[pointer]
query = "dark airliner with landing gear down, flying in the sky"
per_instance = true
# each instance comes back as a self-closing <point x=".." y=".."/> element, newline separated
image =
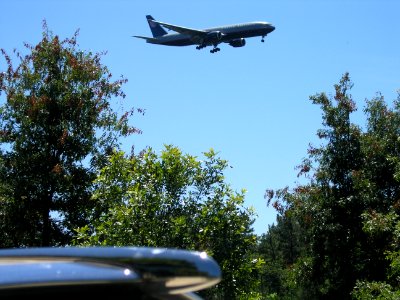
<point x="234" y="34"/>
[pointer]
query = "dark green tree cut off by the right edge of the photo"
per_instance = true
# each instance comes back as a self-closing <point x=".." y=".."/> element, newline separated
<point x="381" y="219"/>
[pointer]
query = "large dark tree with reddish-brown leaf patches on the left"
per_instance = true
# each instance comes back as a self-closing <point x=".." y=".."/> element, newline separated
<point x="56" y="128"/>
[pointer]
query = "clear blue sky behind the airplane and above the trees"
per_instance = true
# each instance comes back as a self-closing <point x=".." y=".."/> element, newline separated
<point x="250" y="104"/>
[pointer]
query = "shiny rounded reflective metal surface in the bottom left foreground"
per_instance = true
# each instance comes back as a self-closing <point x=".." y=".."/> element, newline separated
<point x="129" y="272"/>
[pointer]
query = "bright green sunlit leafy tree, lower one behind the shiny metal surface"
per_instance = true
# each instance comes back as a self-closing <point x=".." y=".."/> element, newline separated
<point x="177" y="201"/>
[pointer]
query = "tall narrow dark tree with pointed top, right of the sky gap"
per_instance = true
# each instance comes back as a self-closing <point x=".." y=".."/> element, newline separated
<point x="337" y="237"/>
